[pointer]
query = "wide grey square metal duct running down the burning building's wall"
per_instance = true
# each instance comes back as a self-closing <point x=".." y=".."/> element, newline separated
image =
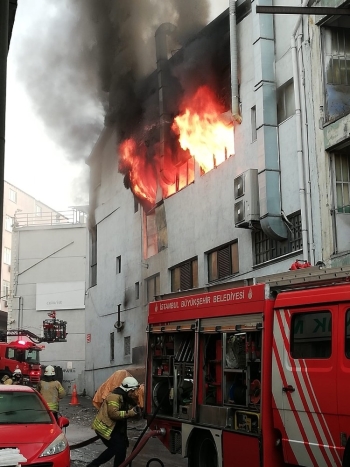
<point x="271" y="220"/>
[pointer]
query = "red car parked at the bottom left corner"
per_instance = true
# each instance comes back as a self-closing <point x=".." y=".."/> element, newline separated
<point x="27" y="424"/>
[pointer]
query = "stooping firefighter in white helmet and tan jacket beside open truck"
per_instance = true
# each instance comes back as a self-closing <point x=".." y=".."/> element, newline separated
<point x="110" y="424"/>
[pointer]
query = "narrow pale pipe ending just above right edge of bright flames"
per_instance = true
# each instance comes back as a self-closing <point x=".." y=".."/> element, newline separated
<point x="233" y="55"/>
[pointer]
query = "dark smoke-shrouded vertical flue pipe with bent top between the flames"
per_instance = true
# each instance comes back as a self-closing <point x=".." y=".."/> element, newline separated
<point x="164" y="90"/>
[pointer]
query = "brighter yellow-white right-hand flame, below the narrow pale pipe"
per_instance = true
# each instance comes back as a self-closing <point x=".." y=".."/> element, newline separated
<point x="202" y="130"/>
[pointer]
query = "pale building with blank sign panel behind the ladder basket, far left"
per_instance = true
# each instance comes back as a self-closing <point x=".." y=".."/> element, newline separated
<point x="48" y="275"/>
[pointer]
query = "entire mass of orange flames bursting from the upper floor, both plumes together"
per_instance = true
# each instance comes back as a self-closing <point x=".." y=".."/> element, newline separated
<point x="203" y="135"/>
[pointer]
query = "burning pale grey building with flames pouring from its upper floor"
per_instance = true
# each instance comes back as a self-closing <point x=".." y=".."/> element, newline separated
<point x="276" y="193"/>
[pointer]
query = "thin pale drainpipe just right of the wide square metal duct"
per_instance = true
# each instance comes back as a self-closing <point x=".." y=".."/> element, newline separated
<point x="303" y="170"/>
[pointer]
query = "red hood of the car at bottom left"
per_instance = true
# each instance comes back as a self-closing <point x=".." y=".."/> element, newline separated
<point x="31" y="440"/>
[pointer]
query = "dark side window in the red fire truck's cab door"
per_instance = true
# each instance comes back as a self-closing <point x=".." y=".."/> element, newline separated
<point x="311" y="335"/>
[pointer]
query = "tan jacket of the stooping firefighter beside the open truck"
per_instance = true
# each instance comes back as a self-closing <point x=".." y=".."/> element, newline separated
<point x="114" y="412"/>
